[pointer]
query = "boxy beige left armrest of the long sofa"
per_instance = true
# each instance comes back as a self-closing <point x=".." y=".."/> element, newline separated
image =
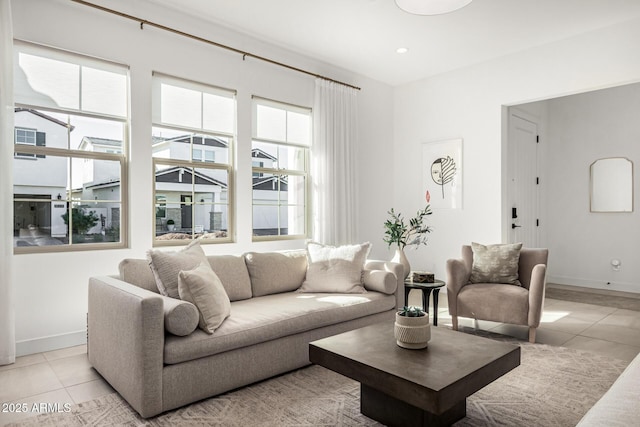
<point x="126" y="341"/>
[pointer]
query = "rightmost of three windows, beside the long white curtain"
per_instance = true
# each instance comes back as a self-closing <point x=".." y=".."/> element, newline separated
<point x="280" y="175"/>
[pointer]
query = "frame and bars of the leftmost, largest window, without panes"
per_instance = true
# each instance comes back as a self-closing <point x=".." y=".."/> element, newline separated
<point x="70" y="154"/>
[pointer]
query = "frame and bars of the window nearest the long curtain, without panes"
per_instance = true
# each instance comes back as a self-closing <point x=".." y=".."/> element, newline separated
<point x="260" y="171"/>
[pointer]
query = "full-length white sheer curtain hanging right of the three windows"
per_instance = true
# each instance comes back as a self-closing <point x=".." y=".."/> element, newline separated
<point x="335" y="124"/>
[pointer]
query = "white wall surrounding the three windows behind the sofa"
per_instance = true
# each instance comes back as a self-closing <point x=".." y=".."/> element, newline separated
<point x="51" y="300"/>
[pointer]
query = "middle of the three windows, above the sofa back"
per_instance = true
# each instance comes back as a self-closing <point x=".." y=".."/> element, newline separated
<point x="193" y="140"/>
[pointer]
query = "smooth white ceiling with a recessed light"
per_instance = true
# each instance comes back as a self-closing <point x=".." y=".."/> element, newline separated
<point x="363" y="35"/>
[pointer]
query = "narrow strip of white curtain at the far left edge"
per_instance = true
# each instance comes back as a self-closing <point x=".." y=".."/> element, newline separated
<point x="7" y="321"/>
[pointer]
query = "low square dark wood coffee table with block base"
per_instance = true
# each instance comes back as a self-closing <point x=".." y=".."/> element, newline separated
<point x="401" y="387"/>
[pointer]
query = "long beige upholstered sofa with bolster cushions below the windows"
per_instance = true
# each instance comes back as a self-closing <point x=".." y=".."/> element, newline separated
<point x="131" y="345"/>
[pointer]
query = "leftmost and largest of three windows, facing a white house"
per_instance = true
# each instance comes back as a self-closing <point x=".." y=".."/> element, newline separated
<point x="71" y="119"/>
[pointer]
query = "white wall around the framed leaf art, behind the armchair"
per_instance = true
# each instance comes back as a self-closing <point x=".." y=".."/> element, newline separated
<point x="468" y="103"/>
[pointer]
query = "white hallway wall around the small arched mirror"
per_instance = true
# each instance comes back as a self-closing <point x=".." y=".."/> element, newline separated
<point x="583" y="128"/>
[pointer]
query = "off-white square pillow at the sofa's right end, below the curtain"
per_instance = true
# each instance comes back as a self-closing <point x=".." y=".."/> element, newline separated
<point x="335" y="269"/>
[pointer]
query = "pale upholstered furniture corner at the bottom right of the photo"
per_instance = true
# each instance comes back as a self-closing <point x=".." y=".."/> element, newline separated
<point x="620" y="405"/>
